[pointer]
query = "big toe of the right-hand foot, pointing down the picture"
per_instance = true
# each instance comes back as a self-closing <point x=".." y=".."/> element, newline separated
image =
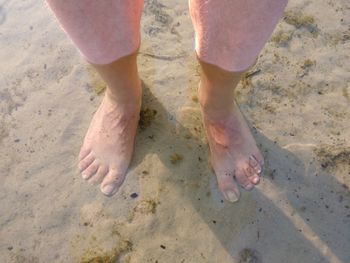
<point x="228" y="187"/>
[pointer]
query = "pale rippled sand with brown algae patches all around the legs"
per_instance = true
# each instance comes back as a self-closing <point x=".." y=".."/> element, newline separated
<point x="296" y="99"/>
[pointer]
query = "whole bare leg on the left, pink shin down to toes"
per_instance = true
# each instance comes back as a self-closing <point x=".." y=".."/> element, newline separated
<point x="107" y="34"/>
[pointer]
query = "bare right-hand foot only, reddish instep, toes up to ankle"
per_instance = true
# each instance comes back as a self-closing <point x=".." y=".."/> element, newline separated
<point x="234" y="154"/>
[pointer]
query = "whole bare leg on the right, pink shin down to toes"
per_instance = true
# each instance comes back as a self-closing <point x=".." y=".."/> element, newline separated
<point x="229" y="36"/>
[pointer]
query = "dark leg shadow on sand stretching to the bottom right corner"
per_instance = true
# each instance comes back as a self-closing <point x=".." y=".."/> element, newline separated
<point x="300" y="212"/>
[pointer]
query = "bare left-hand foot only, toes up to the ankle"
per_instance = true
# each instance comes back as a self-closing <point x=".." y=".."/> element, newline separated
<point x="109" y="143"/>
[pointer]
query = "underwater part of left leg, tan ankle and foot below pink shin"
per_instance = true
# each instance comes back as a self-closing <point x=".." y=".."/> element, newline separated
<point x="109" y="142"/>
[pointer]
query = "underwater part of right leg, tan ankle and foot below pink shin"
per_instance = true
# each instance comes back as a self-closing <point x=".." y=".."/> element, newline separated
<point x="234" y="154"/>
